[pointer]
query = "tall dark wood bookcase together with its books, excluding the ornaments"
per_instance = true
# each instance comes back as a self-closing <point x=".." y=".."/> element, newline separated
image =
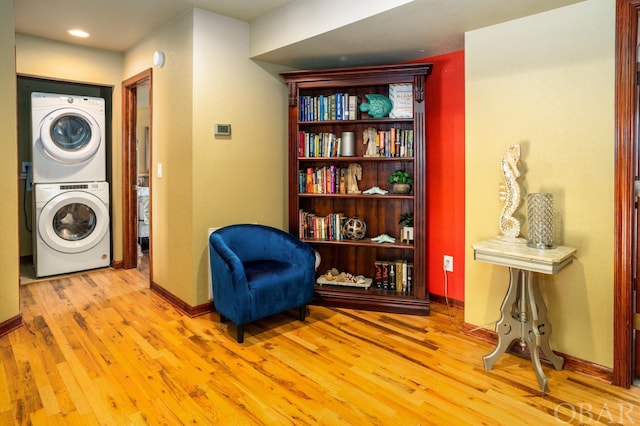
<point x="318" y="204"/>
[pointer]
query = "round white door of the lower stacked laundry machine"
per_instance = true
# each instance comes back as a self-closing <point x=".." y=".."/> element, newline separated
<point x="73" y="222"/>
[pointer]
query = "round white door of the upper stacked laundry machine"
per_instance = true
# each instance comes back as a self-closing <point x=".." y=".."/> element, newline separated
<point x="70" y="136"/>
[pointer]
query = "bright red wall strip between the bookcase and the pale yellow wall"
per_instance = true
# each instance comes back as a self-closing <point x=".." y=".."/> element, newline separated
<point x="446" y="173"/>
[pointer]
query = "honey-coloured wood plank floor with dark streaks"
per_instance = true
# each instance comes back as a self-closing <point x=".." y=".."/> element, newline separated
<point x="100" y="348"/>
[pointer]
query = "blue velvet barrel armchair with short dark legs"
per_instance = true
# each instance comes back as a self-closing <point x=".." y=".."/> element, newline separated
<point x="259" y="271"/>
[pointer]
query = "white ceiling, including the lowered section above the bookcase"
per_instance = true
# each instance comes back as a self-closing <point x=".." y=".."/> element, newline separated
<point x="419" y="29"/>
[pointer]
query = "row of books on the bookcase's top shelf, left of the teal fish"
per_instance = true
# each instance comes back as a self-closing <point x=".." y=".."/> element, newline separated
<point x="338" y="106"/>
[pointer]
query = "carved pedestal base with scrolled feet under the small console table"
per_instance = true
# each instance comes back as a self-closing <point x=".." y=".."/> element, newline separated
<point x="523" y="318"/>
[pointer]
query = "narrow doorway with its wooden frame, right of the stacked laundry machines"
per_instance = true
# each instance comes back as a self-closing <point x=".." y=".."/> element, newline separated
<point x="136" y="164"/>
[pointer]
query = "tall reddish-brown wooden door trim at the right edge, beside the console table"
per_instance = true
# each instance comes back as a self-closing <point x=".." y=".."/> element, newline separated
<point x="625" y="134"/>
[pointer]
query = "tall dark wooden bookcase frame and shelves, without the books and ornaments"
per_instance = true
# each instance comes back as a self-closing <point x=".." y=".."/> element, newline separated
<point x="380" y="212"/>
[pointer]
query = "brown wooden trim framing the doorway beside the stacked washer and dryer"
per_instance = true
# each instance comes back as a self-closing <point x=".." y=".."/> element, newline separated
<point x="129" y="172"/>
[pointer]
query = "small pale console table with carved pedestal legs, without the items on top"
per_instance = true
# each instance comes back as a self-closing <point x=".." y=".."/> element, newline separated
<point x="523" y="311"/>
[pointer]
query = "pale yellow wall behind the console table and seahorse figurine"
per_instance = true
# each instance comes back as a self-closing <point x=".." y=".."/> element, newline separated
<point x="547" y="83"/>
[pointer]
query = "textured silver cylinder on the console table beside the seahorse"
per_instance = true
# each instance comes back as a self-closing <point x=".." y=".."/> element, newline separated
<point x="540" y="217"/>
